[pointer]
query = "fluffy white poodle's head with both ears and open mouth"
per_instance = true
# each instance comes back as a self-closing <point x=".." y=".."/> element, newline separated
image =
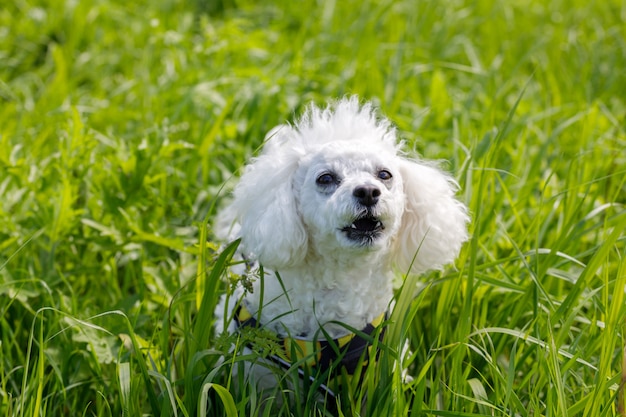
<point x="335" y="184"/>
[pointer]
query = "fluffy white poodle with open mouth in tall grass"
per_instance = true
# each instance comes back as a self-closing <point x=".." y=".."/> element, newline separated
<point x="331" y="208"/>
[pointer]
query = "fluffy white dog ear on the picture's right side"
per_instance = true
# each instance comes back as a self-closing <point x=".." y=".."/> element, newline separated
<point x="434" y="223"/>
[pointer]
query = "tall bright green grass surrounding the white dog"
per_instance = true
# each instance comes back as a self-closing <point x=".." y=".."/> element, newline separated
<point x="120" y="122"/>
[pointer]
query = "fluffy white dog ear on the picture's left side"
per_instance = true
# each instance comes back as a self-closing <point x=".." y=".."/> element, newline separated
<point x="264" y="204"/>
